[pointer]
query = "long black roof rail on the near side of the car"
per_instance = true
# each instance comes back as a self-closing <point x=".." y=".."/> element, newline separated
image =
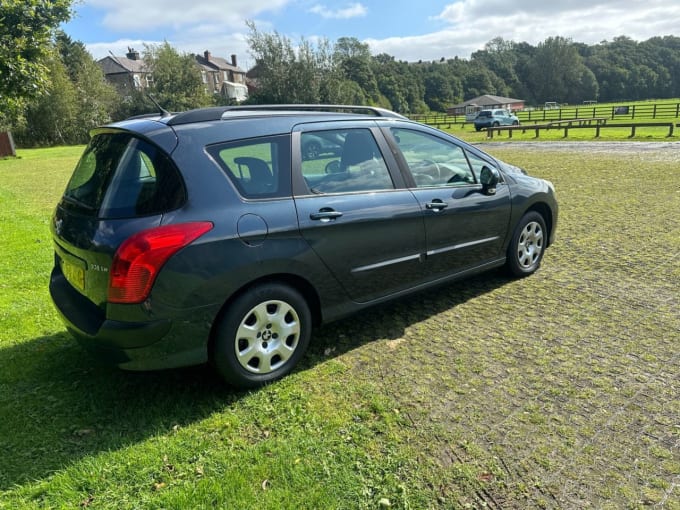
<point x="215" y="113"/>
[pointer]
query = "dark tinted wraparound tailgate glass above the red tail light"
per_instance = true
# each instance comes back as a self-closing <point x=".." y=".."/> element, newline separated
<point x="121" y="176"/>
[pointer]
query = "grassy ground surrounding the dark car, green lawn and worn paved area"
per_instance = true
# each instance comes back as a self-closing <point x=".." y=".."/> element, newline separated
<point x="556" y="391"/>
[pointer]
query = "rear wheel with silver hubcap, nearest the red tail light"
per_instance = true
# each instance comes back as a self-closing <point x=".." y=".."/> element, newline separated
<point x="262" y="335"/>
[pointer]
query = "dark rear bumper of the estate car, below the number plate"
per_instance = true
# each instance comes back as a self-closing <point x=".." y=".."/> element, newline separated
<point x="135" y="345"/>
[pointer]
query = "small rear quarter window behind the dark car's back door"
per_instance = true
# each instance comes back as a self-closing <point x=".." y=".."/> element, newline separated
<point x="259" y="168"/>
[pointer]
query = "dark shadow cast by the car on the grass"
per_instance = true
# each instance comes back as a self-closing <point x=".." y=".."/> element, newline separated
<point x="58" y="404"/>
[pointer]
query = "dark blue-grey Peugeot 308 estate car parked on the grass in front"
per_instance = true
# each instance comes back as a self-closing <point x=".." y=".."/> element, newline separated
<point x="210" y="235"/>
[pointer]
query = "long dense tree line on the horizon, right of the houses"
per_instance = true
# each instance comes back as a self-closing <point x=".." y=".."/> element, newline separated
<point x="556" y="69"/>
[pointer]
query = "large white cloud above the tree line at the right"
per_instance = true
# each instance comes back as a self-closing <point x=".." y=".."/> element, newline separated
<point x="470" y="24"/>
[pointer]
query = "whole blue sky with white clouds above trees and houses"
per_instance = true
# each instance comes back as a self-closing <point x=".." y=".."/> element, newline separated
<point x="414" y="30"/>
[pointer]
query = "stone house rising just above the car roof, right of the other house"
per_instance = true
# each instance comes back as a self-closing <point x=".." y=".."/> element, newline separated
<point x="222" y="77"/>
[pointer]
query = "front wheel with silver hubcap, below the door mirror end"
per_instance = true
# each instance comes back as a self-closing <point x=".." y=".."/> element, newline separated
<point x="527" y="245"/>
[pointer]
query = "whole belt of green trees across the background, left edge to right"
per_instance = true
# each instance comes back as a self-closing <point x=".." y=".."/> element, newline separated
<point x="52" y="91"/>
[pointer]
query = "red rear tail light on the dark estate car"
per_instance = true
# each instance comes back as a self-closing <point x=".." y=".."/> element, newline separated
<point x="140" y="258"/>
